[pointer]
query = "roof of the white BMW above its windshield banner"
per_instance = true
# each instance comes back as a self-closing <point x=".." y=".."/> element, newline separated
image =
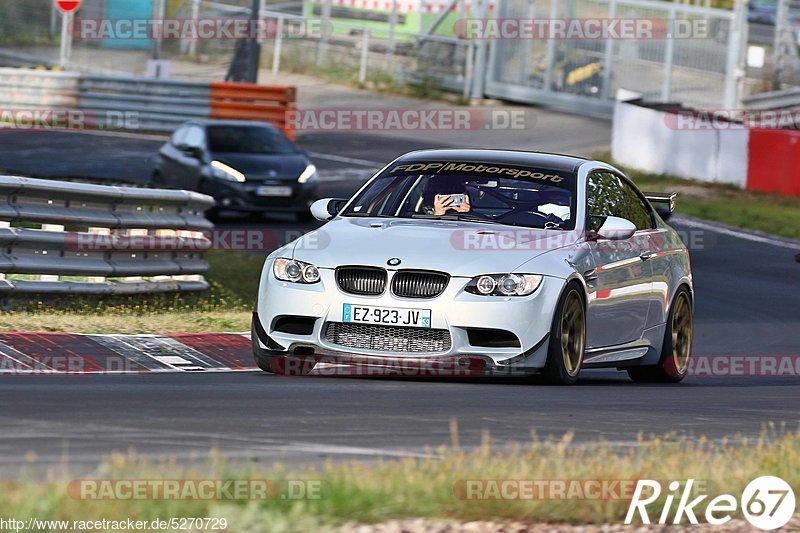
<point x="563" y="163"/>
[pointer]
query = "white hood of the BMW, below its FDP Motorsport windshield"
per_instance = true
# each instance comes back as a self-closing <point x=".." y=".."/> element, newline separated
<point x="459" y="248"/>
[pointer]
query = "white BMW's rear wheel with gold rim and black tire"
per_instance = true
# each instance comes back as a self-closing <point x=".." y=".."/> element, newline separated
<point x="673" y="364"/>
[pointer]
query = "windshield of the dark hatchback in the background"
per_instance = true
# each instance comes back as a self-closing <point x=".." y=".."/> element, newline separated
<point x="248" y="140"/>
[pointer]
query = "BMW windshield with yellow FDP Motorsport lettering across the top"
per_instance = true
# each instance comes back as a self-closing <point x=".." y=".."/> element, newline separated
<point x="492" y="193"/>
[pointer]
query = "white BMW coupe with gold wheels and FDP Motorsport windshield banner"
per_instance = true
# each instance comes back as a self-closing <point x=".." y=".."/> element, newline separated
<point x="494" y="261"/>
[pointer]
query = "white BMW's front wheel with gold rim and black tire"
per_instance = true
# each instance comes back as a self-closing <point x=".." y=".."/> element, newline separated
<point x="567" y="338"/>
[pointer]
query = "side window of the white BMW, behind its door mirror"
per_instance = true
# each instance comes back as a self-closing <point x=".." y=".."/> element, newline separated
<point x="610" y="195"/>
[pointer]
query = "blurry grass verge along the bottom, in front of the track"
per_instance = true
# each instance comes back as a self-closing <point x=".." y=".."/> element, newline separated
<point x="429" y="487"/>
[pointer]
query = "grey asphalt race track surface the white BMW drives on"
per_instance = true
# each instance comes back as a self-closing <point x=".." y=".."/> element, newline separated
<point x="747" y="292"/>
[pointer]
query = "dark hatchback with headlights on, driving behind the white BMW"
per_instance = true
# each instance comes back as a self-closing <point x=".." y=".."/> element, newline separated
<point x="248" y="167"/>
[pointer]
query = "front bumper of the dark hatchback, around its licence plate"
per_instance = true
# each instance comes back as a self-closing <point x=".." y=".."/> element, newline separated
<point x="243" y="197"/>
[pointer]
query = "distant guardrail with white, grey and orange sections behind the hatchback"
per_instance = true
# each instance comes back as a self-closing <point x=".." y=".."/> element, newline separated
<point x="113" y="102"/>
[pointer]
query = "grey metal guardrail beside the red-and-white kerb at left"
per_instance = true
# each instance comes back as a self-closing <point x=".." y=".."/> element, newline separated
<point x="147" y="240"/>
